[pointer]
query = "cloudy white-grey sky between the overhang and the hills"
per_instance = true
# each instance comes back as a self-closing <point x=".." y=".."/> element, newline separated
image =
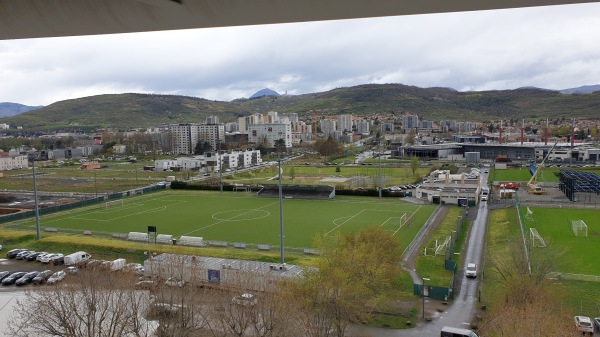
<point x="549" y="47"/>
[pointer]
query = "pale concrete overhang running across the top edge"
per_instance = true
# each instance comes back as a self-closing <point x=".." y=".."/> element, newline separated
<point x="21" y="19"/>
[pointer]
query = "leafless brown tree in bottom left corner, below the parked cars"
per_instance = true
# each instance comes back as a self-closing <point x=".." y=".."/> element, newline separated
<point x="93" y="303"/>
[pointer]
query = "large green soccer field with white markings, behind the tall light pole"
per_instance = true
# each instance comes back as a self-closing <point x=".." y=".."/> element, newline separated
<point x="244" y="217"/>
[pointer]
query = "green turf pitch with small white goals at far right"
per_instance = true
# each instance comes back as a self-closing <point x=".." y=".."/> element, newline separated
<point x="554" y="225"/>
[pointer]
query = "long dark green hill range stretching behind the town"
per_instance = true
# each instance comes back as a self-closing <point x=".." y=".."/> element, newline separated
<point x="124" y="111"/>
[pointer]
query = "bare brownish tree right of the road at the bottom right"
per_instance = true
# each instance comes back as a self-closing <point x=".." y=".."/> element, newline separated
<point x="529" y="304"/>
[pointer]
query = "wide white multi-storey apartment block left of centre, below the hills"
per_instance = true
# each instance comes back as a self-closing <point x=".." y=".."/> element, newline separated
<point x="186" y="136"/>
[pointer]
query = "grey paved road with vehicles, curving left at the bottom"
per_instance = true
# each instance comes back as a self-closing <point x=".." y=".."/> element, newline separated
<point x="461" y="311"/>
